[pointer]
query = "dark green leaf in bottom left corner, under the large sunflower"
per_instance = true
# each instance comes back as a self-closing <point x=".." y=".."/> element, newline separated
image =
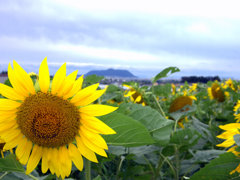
<point x="10" y="163"/>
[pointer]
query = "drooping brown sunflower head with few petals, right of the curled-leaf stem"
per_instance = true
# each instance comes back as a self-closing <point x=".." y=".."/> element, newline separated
<point x="179" y="103"/>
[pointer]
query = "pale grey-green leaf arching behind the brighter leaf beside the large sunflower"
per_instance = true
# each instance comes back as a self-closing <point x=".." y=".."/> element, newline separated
<point x="159" y="126"/>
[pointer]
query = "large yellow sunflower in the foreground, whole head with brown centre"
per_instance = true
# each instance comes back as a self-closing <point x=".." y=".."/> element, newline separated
<point x="54" y="123"/>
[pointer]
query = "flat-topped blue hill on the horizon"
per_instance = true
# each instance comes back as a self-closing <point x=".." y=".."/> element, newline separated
<point x="112" y="73"/>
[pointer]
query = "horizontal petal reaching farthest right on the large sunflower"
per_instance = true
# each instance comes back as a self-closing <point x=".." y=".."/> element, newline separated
<point x="97" y="110"/>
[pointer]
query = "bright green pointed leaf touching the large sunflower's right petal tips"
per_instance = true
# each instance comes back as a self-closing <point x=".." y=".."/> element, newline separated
<point x="129" y="131"/>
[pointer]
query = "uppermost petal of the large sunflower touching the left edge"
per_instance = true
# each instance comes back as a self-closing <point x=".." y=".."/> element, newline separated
<point x="10" y="93"/>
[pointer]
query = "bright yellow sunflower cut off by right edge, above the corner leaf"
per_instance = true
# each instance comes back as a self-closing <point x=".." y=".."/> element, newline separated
<point x="231" y="130"/>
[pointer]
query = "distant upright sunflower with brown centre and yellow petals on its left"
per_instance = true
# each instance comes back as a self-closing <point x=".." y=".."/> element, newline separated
<point x="215" y="92"/>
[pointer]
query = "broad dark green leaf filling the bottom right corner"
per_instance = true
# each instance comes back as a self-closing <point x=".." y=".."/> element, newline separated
<point x="219" y="168"/>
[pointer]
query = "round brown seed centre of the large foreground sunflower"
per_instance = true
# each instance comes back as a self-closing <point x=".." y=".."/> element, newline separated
<point x="48" y="120"/>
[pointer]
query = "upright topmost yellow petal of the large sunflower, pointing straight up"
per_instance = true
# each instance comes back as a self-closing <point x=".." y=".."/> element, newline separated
<point x="44" y="77"/>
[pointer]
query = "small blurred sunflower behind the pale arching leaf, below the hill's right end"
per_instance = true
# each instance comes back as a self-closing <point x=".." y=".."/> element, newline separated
<point x="134" y="95"/>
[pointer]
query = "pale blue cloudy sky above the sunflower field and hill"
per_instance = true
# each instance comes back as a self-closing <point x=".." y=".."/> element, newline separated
<point x="199" y="37"/>
